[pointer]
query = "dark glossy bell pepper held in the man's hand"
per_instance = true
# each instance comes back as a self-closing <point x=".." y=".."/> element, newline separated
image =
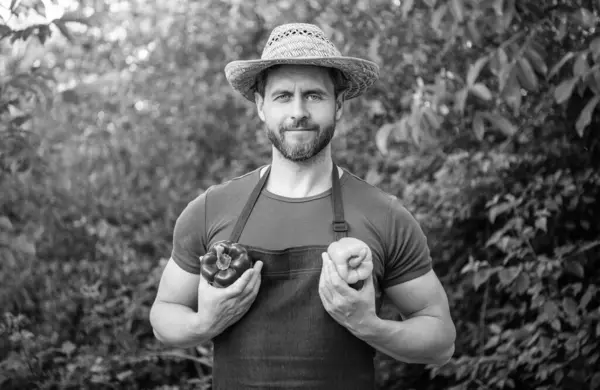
<point x="224" y="263"/>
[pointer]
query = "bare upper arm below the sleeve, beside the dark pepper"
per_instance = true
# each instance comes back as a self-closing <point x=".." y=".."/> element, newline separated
<point x="178" y="286"/>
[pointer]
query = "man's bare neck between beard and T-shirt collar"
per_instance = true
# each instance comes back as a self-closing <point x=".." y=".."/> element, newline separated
<point x="300" y="179"/>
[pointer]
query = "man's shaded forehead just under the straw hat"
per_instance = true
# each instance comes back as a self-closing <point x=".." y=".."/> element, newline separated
<point x="299" y="74"/>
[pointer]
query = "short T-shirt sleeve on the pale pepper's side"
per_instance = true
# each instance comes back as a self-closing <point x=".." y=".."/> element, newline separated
<point x="407" y="252"/>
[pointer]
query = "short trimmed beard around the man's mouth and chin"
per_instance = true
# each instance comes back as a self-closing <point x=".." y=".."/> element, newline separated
<point x="300" y="152"/>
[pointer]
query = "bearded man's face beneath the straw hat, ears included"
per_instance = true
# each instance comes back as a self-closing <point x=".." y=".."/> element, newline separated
<point x="299" y="110"/>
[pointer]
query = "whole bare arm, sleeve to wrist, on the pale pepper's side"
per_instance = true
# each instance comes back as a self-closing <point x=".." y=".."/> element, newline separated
<point x="427" y="334"/>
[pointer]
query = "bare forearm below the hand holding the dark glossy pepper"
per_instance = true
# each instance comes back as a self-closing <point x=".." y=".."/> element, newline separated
<point x="179" y="326"/>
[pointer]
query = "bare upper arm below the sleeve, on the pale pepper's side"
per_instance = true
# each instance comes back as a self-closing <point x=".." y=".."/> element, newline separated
<point x="423" y="295"/>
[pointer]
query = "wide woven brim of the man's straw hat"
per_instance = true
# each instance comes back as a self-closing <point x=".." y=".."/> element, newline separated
<point x="360" y="73"/>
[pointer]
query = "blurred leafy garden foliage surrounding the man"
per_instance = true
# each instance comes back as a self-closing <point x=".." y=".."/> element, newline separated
<point x="115" y="114"/>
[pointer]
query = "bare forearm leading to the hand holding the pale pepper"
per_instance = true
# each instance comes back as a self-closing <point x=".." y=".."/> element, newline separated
<point x="420" y="340"/>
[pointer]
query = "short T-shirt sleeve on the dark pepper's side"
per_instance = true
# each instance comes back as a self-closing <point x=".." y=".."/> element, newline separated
<point x="189" y="242"/>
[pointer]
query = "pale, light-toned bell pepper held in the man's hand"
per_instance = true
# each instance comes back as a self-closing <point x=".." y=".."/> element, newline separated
<point x="349" y="248"/>
